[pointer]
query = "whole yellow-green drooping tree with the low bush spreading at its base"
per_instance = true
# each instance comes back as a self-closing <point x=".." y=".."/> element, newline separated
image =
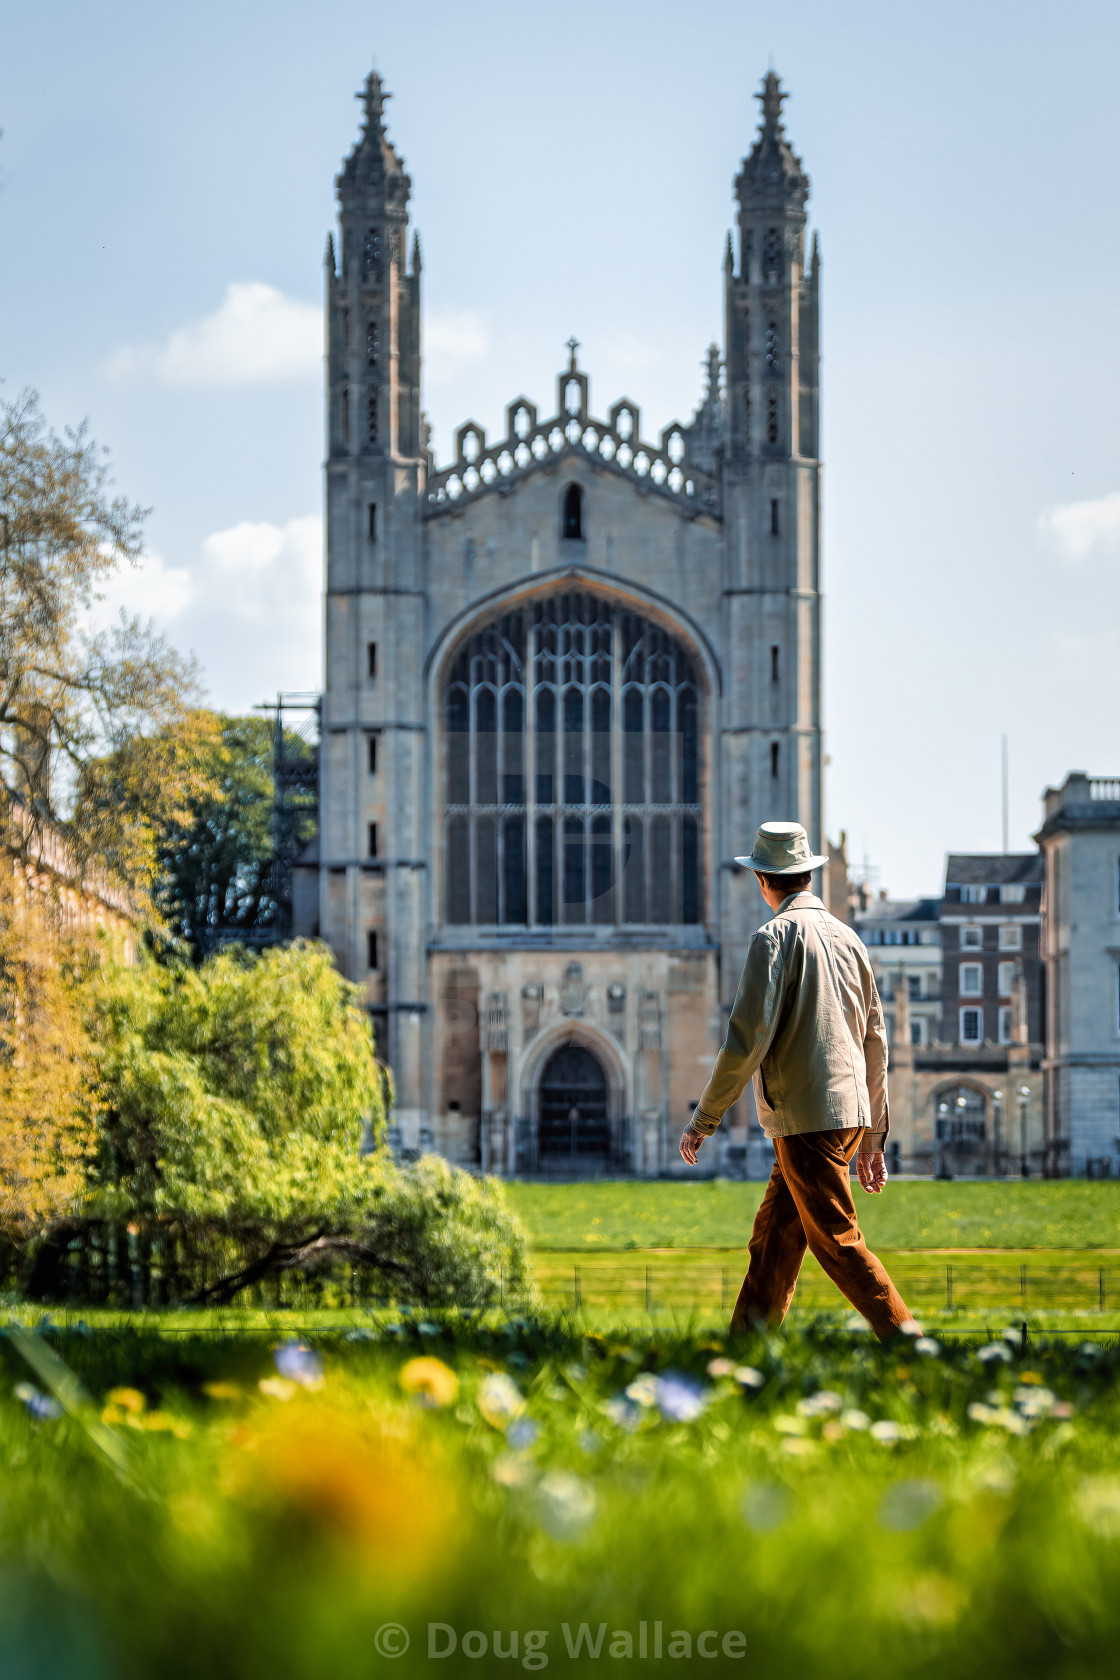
<point x="241" y="1115"/>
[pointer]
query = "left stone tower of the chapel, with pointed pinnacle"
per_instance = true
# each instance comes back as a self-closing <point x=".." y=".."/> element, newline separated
<point x="372" y="848"/>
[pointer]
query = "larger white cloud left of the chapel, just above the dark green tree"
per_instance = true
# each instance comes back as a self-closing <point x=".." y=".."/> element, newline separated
<point x="249" y="606"/>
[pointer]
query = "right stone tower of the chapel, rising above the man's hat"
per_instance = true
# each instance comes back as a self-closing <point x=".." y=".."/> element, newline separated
<point x="772" y="507"/>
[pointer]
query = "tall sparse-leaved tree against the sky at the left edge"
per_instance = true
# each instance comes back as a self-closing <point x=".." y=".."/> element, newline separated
<point x="71" y="700"/>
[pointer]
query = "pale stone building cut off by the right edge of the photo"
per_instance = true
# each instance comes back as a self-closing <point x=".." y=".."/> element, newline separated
<point x="1081" y="841"/>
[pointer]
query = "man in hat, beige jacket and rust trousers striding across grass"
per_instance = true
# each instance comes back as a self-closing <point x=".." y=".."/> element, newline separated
<point x="809" y="1029"/>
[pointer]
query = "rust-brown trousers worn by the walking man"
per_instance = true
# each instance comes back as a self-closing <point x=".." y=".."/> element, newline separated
<point x="809" y="1205"/>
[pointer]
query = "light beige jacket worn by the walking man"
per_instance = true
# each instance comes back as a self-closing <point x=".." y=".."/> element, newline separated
<point x="809" y="1029"/>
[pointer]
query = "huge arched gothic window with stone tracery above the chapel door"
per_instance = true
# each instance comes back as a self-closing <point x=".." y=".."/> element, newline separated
<point x="572" y="772"/>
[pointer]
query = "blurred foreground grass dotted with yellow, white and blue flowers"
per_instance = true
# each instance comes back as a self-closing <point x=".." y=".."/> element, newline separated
<point x="481" y="1494"/>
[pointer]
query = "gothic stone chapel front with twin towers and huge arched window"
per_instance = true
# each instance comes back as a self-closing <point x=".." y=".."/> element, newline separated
<point x="567" y="676"/>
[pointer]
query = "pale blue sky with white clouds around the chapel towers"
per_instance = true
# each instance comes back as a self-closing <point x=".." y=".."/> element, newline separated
<point x="165" y="196"/>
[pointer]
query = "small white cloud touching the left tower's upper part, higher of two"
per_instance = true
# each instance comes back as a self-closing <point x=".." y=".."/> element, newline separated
<point x="256" y="337"/>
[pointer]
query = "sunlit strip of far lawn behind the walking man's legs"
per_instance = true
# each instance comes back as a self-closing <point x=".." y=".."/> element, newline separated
<point x="1055" y="1214"/>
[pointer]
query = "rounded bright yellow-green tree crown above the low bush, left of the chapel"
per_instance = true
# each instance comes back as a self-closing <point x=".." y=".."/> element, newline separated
<point x="236" y="1095"/>
